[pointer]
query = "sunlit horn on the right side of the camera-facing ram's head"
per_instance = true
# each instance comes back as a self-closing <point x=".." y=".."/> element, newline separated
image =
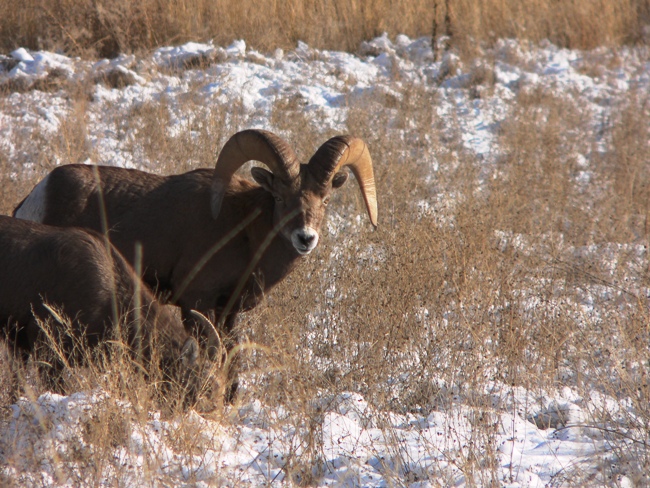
<point x="349" y="151"/>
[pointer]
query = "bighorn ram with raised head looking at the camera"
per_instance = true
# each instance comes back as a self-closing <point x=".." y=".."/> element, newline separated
<point x="213" y="241"/>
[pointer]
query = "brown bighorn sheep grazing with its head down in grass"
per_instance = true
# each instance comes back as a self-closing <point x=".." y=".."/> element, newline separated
<point x="76" y="272"/>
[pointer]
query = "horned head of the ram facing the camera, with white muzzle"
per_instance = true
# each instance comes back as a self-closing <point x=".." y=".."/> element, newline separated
<point x="301" y="190"/>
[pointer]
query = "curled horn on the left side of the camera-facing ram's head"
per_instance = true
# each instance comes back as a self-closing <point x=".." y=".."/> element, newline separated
<point x="247" y="145"/>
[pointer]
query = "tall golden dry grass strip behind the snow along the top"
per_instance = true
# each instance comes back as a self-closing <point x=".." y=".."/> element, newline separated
<point x="106" y="28"/>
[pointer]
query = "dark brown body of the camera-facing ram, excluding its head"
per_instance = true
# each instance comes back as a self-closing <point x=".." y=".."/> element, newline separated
<point x="170" y="217"/>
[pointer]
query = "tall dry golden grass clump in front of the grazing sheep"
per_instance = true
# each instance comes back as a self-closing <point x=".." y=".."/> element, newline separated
<point x="62" y="362"/>
